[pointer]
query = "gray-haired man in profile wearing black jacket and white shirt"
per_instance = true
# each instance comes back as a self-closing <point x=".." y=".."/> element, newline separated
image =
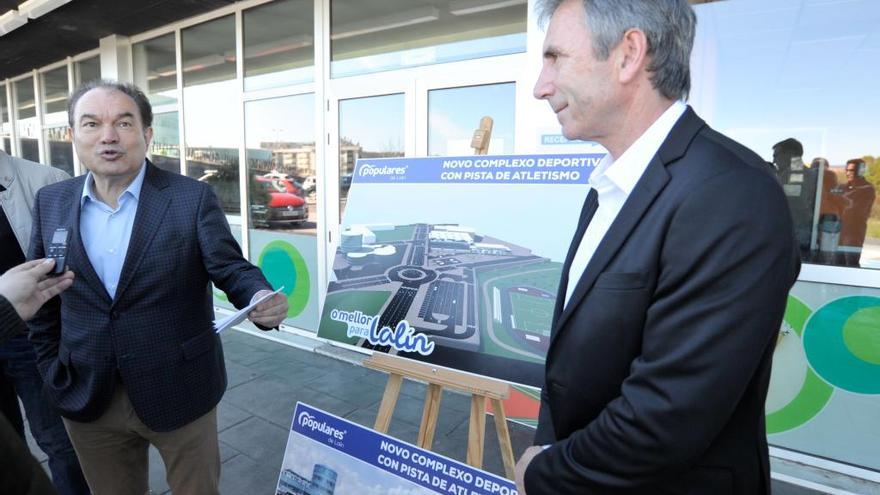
<point x="675" y="284"/>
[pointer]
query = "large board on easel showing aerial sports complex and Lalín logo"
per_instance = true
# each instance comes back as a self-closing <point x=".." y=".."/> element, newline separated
<point x="456" y="260"/>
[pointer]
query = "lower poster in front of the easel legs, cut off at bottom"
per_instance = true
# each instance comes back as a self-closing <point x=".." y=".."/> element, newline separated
<point x="328" y="454"/>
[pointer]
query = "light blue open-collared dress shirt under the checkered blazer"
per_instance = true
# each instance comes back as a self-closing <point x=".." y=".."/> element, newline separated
<point x="105" y="232"/>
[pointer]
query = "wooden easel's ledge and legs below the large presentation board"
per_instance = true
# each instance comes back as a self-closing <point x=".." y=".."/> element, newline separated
<point x="480" y="389"/>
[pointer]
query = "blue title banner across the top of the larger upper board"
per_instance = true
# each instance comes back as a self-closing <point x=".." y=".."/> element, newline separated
<point x="496" y="169"/>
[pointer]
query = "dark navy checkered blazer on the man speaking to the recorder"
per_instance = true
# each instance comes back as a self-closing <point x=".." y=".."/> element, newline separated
<point x="156" y="335"/>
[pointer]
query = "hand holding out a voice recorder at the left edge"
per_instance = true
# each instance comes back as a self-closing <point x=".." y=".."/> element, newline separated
<point x="27" y="287"/>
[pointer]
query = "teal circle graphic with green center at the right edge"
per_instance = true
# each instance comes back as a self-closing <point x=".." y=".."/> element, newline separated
<point x="831" y="334"/>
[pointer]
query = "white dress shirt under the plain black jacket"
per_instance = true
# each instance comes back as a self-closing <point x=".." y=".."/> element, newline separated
<point x="613" y="182"/>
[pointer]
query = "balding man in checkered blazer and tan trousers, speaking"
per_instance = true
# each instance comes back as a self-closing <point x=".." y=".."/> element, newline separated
<point x="129" y="355"/>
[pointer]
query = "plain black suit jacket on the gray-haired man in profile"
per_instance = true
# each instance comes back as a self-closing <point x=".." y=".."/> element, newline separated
<point x="658" y="367"/>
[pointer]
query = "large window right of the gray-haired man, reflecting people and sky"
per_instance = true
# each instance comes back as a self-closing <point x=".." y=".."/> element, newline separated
<point x="815" y="101"/>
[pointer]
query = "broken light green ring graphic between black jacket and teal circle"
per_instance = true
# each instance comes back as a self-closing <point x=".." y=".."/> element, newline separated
<point x="814" y="393"/>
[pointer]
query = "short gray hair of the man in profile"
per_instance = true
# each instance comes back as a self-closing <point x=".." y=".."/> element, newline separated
<point x="669" y="26"/>
